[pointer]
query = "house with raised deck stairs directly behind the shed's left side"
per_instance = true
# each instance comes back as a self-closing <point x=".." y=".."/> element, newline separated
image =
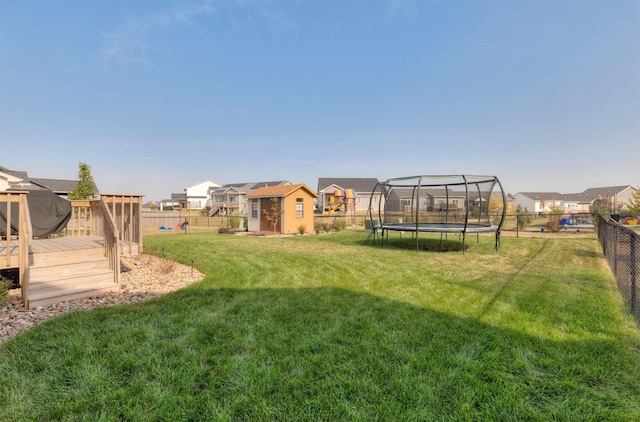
<point x="231" y="198"/>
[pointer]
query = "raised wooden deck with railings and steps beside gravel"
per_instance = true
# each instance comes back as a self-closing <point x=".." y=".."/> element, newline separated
<point x="84" y="262"/>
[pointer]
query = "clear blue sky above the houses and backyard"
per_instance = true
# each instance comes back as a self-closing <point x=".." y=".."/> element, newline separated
<point x="159" y="95"/>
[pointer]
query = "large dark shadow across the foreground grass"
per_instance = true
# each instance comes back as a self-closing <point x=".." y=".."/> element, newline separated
<point x="296" y="354"/>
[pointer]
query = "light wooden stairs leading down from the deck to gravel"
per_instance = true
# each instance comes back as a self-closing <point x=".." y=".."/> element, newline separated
<point x="59" y="276"/>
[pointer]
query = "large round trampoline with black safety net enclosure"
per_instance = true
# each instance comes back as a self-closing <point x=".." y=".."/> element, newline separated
<point x="451" y="204"/>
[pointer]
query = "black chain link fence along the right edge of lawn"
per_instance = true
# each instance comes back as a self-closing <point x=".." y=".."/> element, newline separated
<point x="621" y="248"/>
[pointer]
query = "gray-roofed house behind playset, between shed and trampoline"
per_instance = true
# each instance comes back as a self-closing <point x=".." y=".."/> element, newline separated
<point x="364" y="189"/>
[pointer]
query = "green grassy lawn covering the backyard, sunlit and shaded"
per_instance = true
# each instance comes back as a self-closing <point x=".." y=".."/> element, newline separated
<point x="324" y="328"/>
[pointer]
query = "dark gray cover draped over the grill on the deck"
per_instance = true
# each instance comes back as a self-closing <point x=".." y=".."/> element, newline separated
<point x="49" y="213"/>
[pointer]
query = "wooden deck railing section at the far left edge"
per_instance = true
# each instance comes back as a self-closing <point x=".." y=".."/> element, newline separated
<point x="15" y="203"/>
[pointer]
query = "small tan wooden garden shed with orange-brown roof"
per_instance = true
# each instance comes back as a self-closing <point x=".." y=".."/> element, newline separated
<point x="282" y="209"/>
